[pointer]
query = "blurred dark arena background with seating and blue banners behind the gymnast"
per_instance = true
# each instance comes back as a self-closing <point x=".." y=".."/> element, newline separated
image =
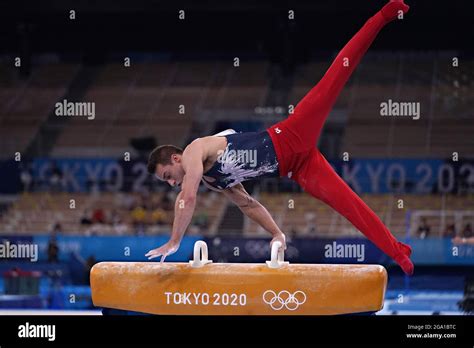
<point x="77" y="186"/>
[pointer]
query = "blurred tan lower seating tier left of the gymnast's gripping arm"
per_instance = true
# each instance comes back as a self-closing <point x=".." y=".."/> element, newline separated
<point x="37" y="213"/>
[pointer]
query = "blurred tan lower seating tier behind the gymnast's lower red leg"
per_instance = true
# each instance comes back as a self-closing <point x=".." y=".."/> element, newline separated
<point x="293" y="216"/>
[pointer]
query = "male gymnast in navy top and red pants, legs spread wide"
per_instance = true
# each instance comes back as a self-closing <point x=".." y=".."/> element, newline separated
<point x="287" y="148"/>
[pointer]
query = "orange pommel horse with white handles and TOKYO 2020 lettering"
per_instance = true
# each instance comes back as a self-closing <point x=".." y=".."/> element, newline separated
<point x="201" y="287"/>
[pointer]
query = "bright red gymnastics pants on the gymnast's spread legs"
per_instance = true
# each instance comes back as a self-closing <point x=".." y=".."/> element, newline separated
<point x="295" y="141"/>
